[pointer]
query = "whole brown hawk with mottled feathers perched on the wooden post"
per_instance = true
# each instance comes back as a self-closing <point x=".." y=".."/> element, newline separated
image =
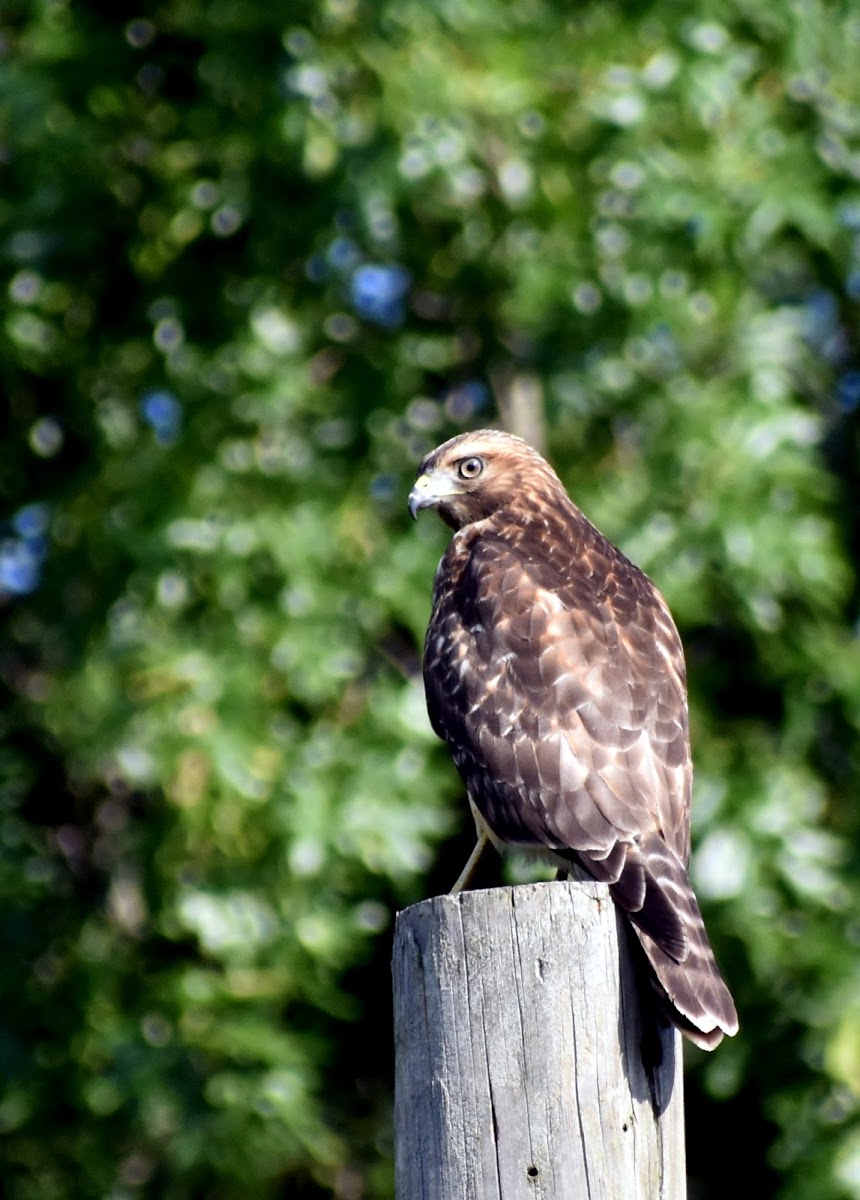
<point x="555" y="673"/>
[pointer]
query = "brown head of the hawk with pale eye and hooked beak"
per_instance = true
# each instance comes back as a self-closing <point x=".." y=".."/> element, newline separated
<point x="477" y="475"/>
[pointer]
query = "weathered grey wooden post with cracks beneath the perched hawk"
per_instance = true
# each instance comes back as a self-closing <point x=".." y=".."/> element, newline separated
<point x="519" y="1063"/>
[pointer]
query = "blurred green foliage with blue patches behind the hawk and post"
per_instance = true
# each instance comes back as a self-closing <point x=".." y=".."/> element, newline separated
<point x="256" y="260"/>
